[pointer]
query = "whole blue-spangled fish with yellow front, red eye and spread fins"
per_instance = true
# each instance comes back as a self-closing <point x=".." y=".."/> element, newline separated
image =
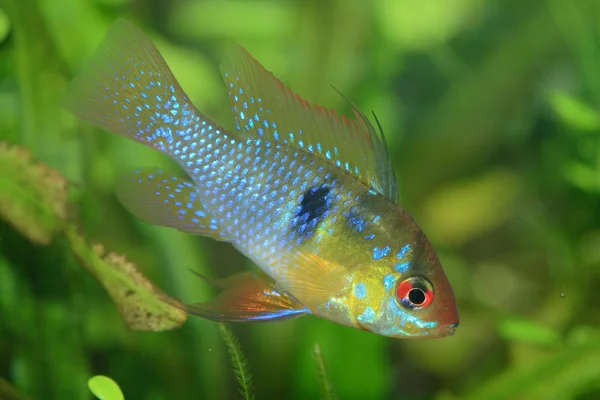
<point x="308" y="195"/>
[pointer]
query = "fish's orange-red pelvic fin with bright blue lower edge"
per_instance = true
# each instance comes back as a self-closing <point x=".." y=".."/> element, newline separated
<point x="247" y="297"/>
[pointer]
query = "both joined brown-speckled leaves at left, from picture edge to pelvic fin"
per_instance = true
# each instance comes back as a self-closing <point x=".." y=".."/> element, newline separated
<point x="34" y="201"/>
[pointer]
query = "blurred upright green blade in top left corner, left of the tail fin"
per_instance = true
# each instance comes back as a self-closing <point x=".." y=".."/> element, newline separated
<point x="44" y="124"/>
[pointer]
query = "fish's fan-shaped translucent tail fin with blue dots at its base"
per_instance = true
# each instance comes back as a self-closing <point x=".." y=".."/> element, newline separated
<point x="128" y="89"/>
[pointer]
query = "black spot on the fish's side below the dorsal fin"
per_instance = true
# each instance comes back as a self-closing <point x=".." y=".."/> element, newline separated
<point x="313" y="209"/>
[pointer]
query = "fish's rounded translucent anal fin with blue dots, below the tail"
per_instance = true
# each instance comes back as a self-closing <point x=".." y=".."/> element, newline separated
<point x="159" y="198"/>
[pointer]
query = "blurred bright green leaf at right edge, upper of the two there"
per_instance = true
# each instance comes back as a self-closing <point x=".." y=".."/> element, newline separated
<point x="574" y="112"/>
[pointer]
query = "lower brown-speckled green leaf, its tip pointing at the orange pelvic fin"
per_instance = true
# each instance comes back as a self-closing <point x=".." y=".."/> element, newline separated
<point x="142" y="305"/>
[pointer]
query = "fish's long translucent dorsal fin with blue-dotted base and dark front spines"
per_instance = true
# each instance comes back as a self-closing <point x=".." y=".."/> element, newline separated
<point x="264" y="107"/>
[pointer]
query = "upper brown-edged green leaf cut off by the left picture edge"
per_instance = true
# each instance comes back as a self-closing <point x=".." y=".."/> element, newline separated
<point x="32" y="196"/>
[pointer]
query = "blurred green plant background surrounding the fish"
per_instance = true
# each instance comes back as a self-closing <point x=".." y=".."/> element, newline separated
<point x="492" y="113"/>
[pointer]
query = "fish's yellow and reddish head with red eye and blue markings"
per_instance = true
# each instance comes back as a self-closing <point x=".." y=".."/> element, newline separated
<point x="407" y="295"/>
